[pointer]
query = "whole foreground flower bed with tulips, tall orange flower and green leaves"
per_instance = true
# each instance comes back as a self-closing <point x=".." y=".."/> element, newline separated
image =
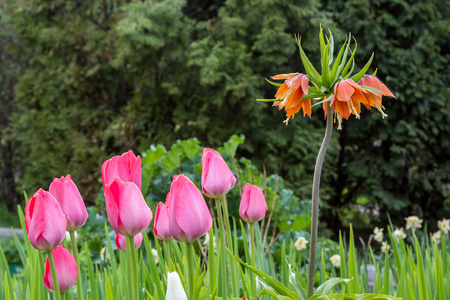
<point x="196" y="247"/>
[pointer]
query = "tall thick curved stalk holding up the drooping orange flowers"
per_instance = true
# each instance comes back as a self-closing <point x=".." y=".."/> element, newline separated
<point x="315" y="201"/>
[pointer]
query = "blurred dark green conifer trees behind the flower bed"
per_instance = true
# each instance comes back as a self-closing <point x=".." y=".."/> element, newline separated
<point x="82" y="81"/>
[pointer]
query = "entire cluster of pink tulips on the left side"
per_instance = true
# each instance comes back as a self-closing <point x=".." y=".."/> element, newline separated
<point x="184" y="217"/>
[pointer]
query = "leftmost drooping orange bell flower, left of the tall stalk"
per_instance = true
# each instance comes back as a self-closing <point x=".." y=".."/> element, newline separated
<point x="291" y="93"/>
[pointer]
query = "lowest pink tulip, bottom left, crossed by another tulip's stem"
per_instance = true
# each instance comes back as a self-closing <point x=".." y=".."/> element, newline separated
<point x="66" y="270"/>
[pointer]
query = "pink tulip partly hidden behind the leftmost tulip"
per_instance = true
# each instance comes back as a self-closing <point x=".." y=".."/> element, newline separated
<point x="69" y="198"/>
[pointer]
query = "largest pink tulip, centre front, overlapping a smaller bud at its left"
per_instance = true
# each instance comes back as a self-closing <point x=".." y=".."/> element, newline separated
<point x="189" y="216"/>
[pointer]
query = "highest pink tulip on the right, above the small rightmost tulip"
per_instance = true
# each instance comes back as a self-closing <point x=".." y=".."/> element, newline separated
<point x="217" y="179"/>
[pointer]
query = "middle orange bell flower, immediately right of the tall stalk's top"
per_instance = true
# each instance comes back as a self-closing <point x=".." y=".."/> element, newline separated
<point x="346" y="100"/>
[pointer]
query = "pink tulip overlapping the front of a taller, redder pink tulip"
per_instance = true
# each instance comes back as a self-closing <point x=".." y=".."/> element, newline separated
<point x="127" y="211"/>
